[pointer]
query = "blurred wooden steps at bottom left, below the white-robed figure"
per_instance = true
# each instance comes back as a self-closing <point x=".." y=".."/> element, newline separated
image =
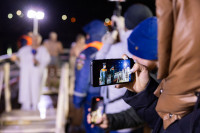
<point x="19" y="121"/>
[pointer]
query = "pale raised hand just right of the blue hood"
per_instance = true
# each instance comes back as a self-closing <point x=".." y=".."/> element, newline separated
<point x="110" y="37"/>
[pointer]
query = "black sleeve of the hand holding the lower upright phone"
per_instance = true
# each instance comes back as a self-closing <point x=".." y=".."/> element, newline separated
<point x="125" y="119"/>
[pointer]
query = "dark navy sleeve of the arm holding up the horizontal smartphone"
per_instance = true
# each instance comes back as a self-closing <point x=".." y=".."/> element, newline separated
<point x="144" y="103"/>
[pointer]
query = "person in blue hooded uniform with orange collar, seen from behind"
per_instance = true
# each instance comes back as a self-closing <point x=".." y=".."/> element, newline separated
<point x="84" y="91"/>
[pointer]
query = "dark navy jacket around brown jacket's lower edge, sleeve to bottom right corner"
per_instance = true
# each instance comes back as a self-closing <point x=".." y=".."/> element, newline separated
<point x="144" y="104"/>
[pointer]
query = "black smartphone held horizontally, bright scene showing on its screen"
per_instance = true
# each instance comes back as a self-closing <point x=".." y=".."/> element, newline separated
<point x="111" y="71"/>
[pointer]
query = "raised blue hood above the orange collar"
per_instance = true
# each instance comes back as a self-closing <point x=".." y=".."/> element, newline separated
<point x="95" y="29"/>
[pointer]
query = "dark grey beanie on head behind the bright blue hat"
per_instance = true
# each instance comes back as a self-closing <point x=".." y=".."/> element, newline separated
<point x="136" y="14"/>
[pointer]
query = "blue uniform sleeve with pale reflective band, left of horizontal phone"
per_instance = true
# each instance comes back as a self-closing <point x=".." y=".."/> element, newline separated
<point x="82" y="83"/>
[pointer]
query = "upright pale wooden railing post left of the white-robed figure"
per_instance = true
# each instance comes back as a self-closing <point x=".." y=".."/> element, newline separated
<point x="7" y="87"/>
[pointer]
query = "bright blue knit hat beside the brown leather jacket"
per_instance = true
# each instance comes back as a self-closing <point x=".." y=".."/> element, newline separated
<point x="143" y="40"/>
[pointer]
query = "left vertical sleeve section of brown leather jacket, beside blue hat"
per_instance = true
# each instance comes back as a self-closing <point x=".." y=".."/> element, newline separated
<point x="164" y="11"/>
